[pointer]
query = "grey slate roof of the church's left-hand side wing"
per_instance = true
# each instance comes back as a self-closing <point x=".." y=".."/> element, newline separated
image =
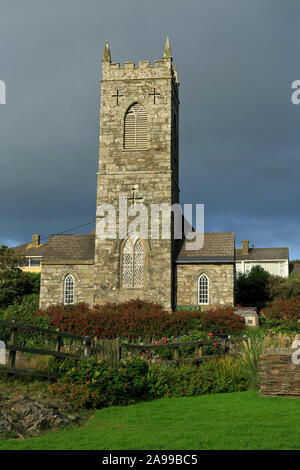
<point x="70" y="248"/>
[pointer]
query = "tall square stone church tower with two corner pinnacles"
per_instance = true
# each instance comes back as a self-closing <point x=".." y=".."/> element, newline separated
<point x="138" y="160"/>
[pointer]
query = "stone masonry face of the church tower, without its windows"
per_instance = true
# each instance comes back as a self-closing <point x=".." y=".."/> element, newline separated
<point x="153" y="170"/>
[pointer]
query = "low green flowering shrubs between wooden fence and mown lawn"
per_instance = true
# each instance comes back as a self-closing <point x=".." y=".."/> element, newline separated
<point x="93" y="384"/>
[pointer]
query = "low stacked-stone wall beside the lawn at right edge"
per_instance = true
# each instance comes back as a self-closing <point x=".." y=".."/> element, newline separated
<point x="278" y="375"/>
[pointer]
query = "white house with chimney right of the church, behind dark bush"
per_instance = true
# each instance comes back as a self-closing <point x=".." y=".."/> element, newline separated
<point x="273" y="260"/>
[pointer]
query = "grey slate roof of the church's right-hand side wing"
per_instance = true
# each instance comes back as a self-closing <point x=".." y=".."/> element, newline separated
<point x="218" y="247"/>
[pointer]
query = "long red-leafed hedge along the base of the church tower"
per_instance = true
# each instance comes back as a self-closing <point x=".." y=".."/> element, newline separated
<point x="129" y="320"/>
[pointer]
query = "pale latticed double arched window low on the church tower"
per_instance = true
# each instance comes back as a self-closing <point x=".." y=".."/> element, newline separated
<point x="133" y="262"/>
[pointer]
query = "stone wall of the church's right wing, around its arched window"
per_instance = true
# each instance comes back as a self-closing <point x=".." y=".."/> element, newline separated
<point x="221" y="284"/>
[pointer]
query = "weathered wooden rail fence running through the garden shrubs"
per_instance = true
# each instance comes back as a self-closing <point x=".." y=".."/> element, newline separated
<point x="89" y="347"/>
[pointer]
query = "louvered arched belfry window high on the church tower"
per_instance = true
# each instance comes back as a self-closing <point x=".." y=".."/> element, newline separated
<point x="135" y="128"/>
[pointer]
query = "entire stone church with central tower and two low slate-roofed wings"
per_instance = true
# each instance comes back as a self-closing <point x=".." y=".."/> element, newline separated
<point x="138" y="159"/>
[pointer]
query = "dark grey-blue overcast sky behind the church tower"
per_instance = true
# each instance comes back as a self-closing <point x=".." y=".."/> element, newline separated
<point x="239" y="131"/>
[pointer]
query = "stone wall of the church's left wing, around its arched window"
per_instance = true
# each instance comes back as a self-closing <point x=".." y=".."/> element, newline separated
<point x="52" y="283"/>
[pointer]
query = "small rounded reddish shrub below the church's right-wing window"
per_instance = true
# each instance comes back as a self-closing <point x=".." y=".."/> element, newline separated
<point x="222" y="321"/>
